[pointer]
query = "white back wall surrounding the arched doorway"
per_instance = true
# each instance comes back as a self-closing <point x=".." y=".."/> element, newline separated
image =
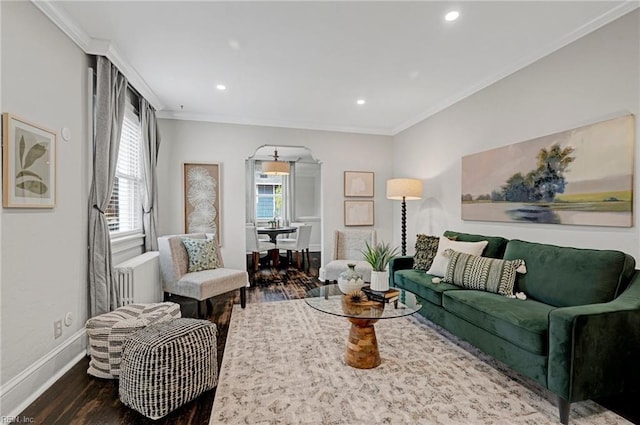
<point x="230" y="145"/>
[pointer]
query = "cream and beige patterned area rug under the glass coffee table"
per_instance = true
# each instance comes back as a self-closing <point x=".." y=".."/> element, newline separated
<point x="283" y="364"/>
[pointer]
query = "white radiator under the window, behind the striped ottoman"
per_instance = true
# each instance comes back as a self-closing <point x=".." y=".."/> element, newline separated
<point x="139" y="279"/>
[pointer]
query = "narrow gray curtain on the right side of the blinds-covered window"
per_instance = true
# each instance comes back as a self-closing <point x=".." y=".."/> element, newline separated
<point x="150" y="146"/>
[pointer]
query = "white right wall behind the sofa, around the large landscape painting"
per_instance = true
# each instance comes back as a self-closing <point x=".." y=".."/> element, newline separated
<point x="592" y="79"/>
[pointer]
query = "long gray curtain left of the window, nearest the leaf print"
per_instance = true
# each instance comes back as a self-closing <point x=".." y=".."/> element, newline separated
<point x="111" y="87"/>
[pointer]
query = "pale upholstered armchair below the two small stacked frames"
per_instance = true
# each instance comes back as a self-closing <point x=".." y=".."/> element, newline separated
<point x="347" y="249"/>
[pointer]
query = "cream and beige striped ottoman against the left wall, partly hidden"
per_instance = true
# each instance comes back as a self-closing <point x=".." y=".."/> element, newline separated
<point x="108" y="331"/>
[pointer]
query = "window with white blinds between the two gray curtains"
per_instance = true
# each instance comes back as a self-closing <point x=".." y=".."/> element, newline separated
<point x="124" y="214"/>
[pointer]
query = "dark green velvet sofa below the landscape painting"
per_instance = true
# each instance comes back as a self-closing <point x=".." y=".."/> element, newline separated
<point x="578" y="331"/>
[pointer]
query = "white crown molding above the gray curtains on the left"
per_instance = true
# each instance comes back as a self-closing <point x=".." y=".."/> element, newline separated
<point x="92" y="46"/>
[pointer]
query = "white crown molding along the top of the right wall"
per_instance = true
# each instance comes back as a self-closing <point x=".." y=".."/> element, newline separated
<point x="598" y="22"/>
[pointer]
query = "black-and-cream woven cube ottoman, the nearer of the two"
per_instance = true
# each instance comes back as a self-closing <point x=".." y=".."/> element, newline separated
<point x="167" y="365"/>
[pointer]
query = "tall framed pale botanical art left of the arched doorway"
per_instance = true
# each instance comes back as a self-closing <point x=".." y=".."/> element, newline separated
<point x="201" y="184"/>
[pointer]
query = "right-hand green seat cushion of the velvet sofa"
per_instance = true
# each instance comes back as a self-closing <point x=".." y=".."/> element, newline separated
<point x="524" y="323"/>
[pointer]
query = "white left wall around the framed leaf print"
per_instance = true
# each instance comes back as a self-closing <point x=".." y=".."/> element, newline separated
<point x="44" y="252"/>
